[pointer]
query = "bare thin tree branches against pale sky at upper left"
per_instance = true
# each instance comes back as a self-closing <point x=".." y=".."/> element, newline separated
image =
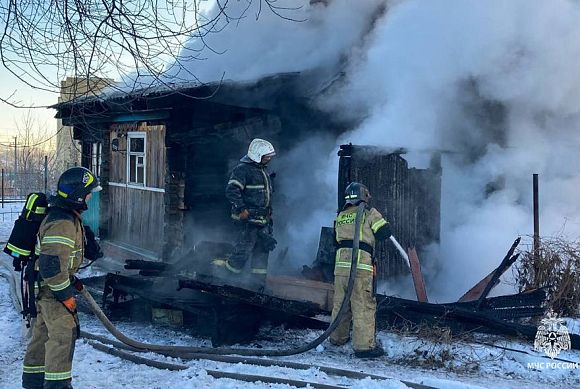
<point x="45" y="41"/>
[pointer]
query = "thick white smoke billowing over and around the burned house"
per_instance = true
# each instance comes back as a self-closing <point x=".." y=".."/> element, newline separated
<point x="492" y="84"/>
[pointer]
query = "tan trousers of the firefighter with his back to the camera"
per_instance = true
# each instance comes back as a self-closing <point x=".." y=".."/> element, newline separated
<point x="361" y="312"/>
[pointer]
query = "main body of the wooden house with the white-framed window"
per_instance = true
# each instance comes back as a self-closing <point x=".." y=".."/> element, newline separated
<point x="164" y="153"/>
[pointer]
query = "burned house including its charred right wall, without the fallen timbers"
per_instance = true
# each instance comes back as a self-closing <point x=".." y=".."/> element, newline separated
<point x="164" y="155"/>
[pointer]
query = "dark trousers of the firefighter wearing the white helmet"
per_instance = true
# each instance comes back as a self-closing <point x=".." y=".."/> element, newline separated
<point x="250" y="243"/>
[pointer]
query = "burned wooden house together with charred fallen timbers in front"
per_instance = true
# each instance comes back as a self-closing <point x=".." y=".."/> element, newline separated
<point x="164" y="156"/>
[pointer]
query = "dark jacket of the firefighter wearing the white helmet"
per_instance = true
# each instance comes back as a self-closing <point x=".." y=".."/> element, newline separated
<point x="250" y="187"/>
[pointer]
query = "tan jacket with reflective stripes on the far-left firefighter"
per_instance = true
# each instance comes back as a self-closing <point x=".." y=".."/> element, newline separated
<point x="59" y="246"/>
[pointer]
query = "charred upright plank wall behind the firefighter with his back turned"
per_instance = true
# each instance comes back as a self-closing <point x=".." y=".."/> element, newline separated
<point x="408" y="198"/>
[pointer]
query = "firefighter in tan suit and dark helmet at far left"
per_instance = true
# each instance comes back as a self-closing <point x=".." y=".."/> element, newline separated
<point x="59" y="247"/>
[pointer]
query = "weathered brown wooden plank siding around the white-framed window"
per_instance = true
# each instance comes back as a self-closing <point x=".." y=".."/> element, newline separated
<point x="136" y="214"/>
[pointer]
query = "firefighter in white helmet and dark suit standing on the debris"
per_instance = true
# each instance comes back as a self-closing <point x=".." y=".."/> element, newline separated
<point x="249" y="190"/>
